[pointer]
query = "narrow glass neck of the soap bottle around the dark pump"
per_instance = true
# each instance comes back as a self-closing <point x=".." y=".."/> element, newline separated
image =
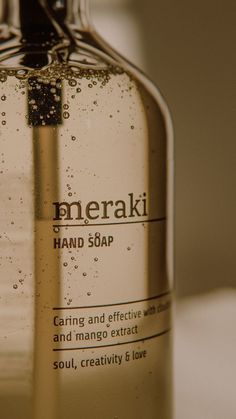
<point x="39" y="15"/>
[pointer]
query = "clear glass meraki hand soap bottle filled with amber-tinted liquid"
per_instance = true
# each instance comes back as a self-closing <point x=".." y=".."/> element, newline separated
<point x="85" y="223"/>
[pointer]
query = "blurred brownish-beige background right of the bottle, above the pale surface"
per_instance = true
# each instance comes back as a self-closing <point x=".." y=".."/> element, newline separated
<point x="188" y="49"/>
